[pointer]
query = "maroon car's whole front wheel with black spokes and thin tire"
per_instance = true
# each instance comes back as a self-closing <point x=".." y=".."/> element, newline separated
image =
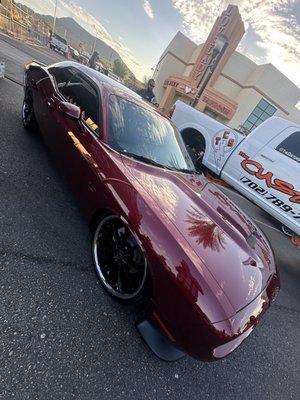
<point x="119" y="261"/>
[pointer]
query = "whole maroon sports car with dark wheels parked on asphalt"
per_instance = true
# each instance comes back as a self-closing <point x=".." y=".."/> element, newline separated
<point x="162" y="234"/>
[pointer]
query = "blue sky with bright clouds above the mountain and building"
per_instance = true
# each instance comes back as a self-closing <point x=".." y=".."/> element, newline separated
<point x="140" y="30"/>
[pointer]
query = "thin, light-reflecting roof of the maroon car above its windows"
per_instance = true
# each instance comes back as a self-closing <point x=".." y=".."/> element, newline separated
<point x="110" y="84"/>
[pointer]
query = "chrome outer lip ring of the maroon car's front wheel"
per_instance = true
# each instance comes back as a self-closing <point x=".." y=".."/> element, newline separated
<point x="122" y="296"/>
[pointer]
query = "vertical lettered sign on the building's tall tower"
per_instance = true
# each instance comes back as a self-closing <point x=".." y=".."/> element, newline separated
<point x="206" y="53"/>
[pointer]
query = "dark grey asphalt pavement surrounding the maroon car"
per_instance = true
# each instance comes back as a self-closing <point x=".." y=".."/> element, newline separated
<point x="62" y="337"/>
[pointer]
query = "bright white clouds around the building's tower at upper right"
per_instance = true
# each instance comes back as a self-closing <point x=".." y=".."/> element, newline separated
<point x="275" y="31"/>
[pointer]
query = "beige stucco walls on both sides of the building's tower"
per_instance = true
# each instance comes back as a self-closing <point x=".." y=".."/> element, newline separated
<point x="241" y="79"/>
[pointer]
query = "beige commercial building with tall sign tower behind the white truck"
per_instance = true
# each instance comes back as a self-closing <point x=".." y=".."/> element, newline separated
<point x="221" y="82"/>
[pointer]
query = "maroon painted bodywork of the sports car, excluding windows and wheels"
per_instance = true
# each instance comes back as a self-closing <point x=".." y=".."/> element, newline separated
<point x="212" y="270"/>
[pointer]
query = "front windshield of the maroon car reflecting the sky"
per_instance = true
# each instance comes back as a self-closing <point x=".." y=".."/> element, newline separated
<point x="143" y="134"/>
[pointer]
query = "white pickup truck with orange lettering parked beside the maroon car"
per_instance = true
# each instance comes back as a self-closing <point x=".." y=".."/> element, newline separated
<point x="264" y="166"/>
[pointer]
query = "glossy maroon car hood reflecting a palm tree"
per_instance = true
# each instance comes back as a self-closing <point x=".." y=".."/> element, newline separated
<point x="226" y="241"/>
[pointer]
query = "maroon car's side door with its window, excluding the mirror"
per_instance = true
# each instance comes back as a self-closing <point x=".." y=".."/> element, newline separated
<point x="87" y="161"/>
